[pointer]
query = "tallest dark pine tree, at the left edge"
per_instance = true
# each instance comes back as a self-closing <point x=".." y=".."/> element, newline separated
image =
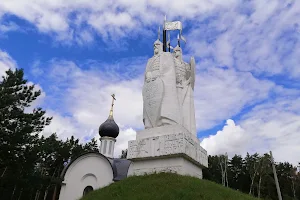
<point x="19" y="129"/>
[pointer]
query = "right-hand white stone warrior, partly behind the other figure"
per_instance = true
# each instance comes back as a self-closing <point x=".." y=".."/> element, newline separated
<point x="185" y="81"/>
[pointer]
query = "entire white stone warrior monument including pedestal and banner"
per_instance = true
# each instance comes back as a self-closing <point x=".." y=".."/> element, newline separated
<point x="169" y="142"/>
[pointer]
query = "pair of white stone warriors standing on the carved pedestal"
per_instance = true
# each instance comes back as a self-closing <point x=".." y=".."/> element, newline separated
<point x="168" y="91"/>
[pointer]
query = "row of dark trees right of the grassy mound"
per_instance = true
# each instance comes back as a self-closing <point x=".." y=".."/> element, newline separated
<point x="253" y="174"/>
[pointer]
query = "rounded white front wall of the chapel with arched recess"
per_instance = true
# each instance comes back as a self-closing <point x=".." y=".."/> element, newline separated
<point x="90" y="169"/>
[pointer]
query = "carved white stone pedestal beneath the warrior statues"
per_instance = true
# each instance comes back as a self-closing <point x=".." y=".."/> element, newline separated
<point x="166" y="149"/>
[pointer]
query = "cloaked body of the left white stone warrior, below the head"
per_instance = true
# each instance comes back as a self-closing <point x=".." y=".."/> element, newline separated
<point x="160" y="99"/>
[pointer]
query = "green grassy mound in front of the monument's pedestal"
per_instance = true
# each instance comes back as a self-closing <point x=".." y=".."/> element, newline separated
<point x="165" y="186"/>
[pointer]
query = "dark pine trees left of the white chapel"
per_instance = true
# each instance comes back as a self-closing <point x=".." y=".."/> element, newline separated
<point x="30" y="164"/>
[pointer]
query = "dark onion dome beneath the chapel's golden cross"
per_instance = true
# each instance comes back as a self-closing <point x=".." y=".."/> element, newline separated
<point x="109" y="128"/>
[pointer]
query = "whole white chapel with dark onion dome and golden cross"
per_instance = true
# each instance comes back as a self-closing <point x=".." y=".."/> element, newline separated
<point x="94" y="170"/>
